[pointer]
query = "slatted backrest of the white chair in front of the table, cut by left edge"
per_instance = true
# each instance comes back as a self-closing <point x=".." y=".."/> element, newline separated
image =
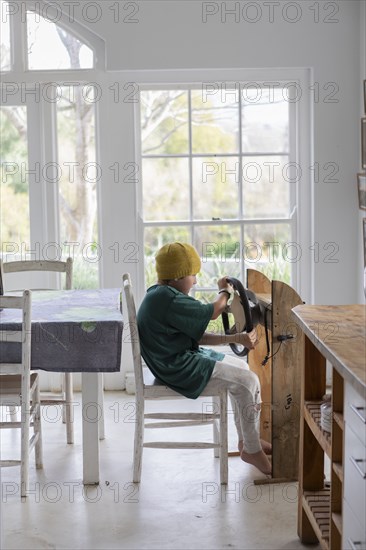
<point x="23" y="337"/>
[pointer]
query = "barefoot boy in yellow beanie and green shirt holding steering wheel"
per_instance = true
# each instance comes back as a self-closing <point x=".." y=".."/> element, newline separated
<point x="172" y="324"/>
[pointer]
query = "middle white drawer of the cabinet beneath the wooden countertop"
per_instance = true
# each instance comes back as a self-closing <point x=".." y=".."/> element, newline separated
<point x="354" y="474"/>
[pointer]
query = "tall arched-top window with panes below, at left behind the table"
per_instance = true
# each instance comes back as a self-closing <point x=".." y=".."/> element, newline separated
<point x="49" y="169"/>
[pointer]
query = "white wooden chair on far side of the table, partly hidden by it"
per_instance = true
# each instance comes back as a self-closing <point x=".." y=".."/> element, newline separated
<point x="65" y="399"/>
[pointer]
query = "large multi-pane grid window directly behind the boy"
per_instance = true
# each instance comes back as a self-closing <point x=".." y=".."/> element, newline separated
<point x="219" y="171"/>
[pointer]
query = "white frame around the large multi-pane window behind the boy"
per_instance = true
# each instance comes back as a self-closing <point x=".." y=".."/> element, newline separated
<point x="302" y="114"/>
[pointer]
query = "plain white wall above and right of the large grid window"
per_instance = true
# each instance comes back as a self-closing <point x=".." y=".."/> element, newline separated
<point x="173" y="35"/>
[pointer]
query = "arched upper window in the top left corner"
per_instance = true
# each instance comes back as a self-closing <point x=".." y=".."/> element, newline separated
<point x="39" y="36"/>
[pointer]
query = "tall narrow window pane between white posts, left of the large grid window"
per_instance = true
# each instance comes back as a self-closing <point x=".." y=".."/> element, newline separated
<point x="78" y="176"/>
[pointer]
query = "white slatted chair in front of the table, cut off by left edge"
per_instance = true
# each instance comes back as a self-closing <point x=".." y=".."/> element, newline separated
<point x="20" y="387"/>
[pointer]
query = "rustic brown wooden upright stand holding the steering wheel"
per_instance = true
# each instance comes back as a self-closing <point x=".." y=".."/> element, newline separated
<point x="280" y="377"/>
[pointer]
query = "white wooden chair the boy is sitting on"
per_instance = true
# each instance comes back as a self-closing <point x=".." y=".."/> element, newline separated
<point x="147" y="387"/>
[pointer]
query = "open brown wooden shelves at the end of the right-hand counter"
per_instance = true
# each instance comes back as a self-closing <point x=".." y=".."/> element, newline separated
<point x="321" y="505"/>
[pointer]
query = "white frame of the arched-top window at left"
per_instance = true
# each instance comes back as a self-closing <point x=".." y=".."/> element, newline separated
<point x="21" y="86"/>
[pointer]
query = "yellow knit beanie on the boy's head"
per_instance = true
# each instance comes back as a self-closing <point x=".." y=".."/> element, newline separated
<point x="177" y="260"/>
